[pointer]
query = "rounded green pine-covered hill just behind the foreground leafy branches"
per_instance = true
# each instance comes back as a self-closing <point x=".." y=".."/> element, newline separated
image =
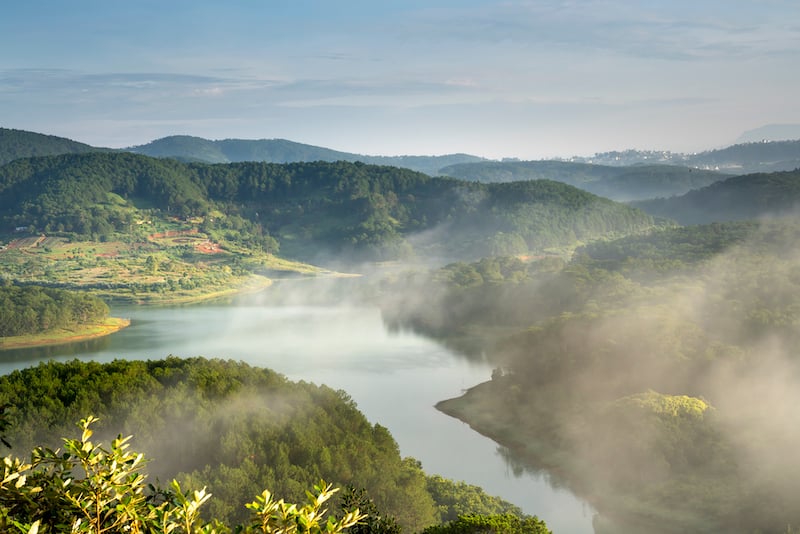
<point x="225" y="425"/>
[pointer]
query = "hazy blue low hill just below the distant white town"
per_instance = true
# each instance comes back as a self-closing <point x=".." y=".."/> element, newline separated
<point x="618" y="183"/>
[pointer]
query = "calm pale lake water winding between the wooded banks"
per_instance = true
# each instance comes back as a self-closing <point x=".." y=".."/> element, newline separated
<point x="394" y="377"/>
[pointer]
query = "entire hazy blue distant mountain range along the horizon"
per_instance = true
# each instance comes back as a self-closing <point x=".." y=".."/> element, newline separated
<point x="623" y="176"/>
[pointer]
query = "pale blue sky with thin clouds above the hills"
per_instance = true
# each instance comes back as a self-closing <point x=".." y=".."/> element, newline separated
<point x="517" y="78"/>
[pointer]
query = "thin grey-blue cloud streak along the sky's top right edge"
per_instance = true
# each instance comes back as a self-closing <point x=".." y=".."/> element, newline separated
<point x="616" y="27"/>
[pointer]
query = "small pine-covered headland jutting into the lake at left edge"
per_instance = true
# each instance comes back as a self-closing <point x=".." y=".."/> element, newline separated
<point x="31" y="310"/>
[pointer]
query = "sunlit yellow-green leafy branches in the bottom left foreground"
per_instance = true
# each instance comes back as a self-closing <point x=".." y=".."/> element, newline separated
<point x="88" y="488"/>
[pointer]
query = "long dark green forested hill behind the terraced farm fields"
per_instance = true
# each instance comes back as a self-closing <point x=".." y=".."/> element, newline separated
<point x="363" y="210"/>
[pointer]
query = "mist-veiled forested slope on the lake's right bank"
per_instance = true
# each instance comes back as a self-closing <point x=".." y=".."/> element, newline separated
<point x="655" y="373"/>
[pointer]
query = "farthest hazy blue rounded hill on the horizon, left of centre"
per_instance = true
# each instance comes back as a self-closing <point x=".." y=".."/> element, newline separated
<point x="188" y="148"/>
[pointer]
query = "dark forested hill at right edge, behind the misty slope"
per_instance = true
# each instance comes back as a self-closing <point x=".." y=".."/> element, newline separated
<point x="738" y="198"/>
